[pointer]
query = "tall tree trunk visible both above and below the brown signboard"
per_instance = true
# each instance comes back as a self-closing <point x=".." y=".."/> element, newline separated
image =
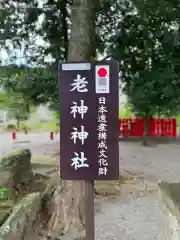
<point x="67" y="199"/>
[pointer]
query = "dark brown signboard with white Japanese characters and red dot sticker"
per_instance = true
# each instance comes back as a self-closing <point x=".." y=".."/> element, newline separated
<point x="89" y="120"/>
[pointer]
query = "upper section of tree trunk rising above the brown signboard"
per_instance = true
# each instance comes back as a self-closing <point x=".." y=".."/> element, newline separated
<point x="82" y="30"/>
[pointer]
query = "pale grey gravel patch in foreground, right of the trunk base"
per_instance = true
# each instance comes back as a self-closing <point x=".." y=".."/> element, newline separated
<point x="133" y="219"/>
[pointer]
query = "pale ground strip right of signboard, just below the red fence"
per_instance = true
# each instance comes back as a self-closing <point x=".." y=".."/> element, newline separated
<point x="162" y="161"/>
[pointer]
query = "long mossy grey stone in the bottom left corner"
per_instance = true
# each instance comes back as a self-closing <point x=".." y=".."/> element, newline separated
<point x="23" y="215"/>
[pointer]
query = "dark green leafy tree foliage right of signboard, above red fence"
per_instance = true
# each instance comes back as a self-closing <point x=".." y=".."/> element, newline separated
<point x="147" y="46"/>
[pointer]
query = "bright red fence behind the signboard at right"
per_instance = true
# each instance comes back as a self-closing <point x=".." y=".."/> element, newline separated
<point x="156" y="127"/>
